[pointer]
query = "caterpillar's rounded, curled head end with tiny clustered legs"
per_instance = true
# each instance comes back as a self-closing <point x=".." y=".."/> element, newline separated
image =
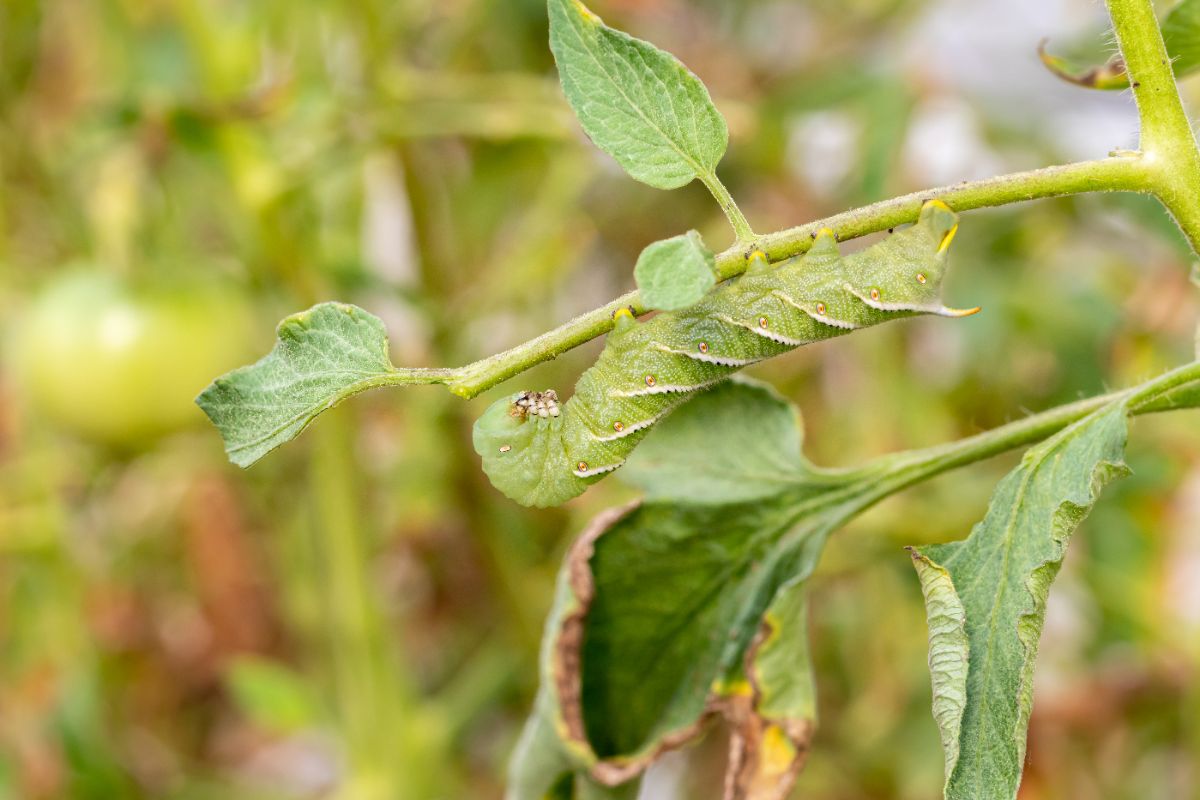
<point x="521" y="442"/>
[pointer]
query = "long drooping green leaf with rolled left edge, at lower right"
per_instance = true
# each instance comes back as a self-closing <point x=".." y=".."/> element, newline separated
<point x="987" y="598"/>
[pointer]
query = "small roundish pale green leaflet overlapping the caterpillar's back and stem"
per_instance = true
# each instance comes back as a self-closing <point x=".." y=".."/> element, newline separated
<point x="676" y="273"/>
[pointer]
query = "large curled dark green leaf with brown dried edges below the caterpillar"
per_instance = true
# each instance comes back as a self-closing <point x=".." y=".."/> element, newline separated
<point x="659" y="606"/>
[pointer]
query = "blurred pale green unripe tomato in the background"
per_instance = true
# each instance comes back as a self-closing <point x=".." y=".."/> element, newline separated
<point x="121" y="364"/>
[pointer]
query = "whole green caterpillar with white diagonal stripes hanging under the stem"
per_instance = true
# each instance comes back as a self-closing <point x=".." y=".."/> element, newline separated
<point x="541" y="454"/>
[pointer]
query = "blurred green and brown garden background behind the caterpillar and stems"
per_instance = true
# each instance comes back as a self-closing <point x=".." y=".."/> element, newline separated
<point x="358" y="616"/>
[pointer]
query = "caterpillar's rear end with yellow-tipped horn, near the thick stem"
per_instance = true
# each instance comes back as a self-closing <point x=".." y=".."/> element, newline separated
<point x="905" y="273"/>
